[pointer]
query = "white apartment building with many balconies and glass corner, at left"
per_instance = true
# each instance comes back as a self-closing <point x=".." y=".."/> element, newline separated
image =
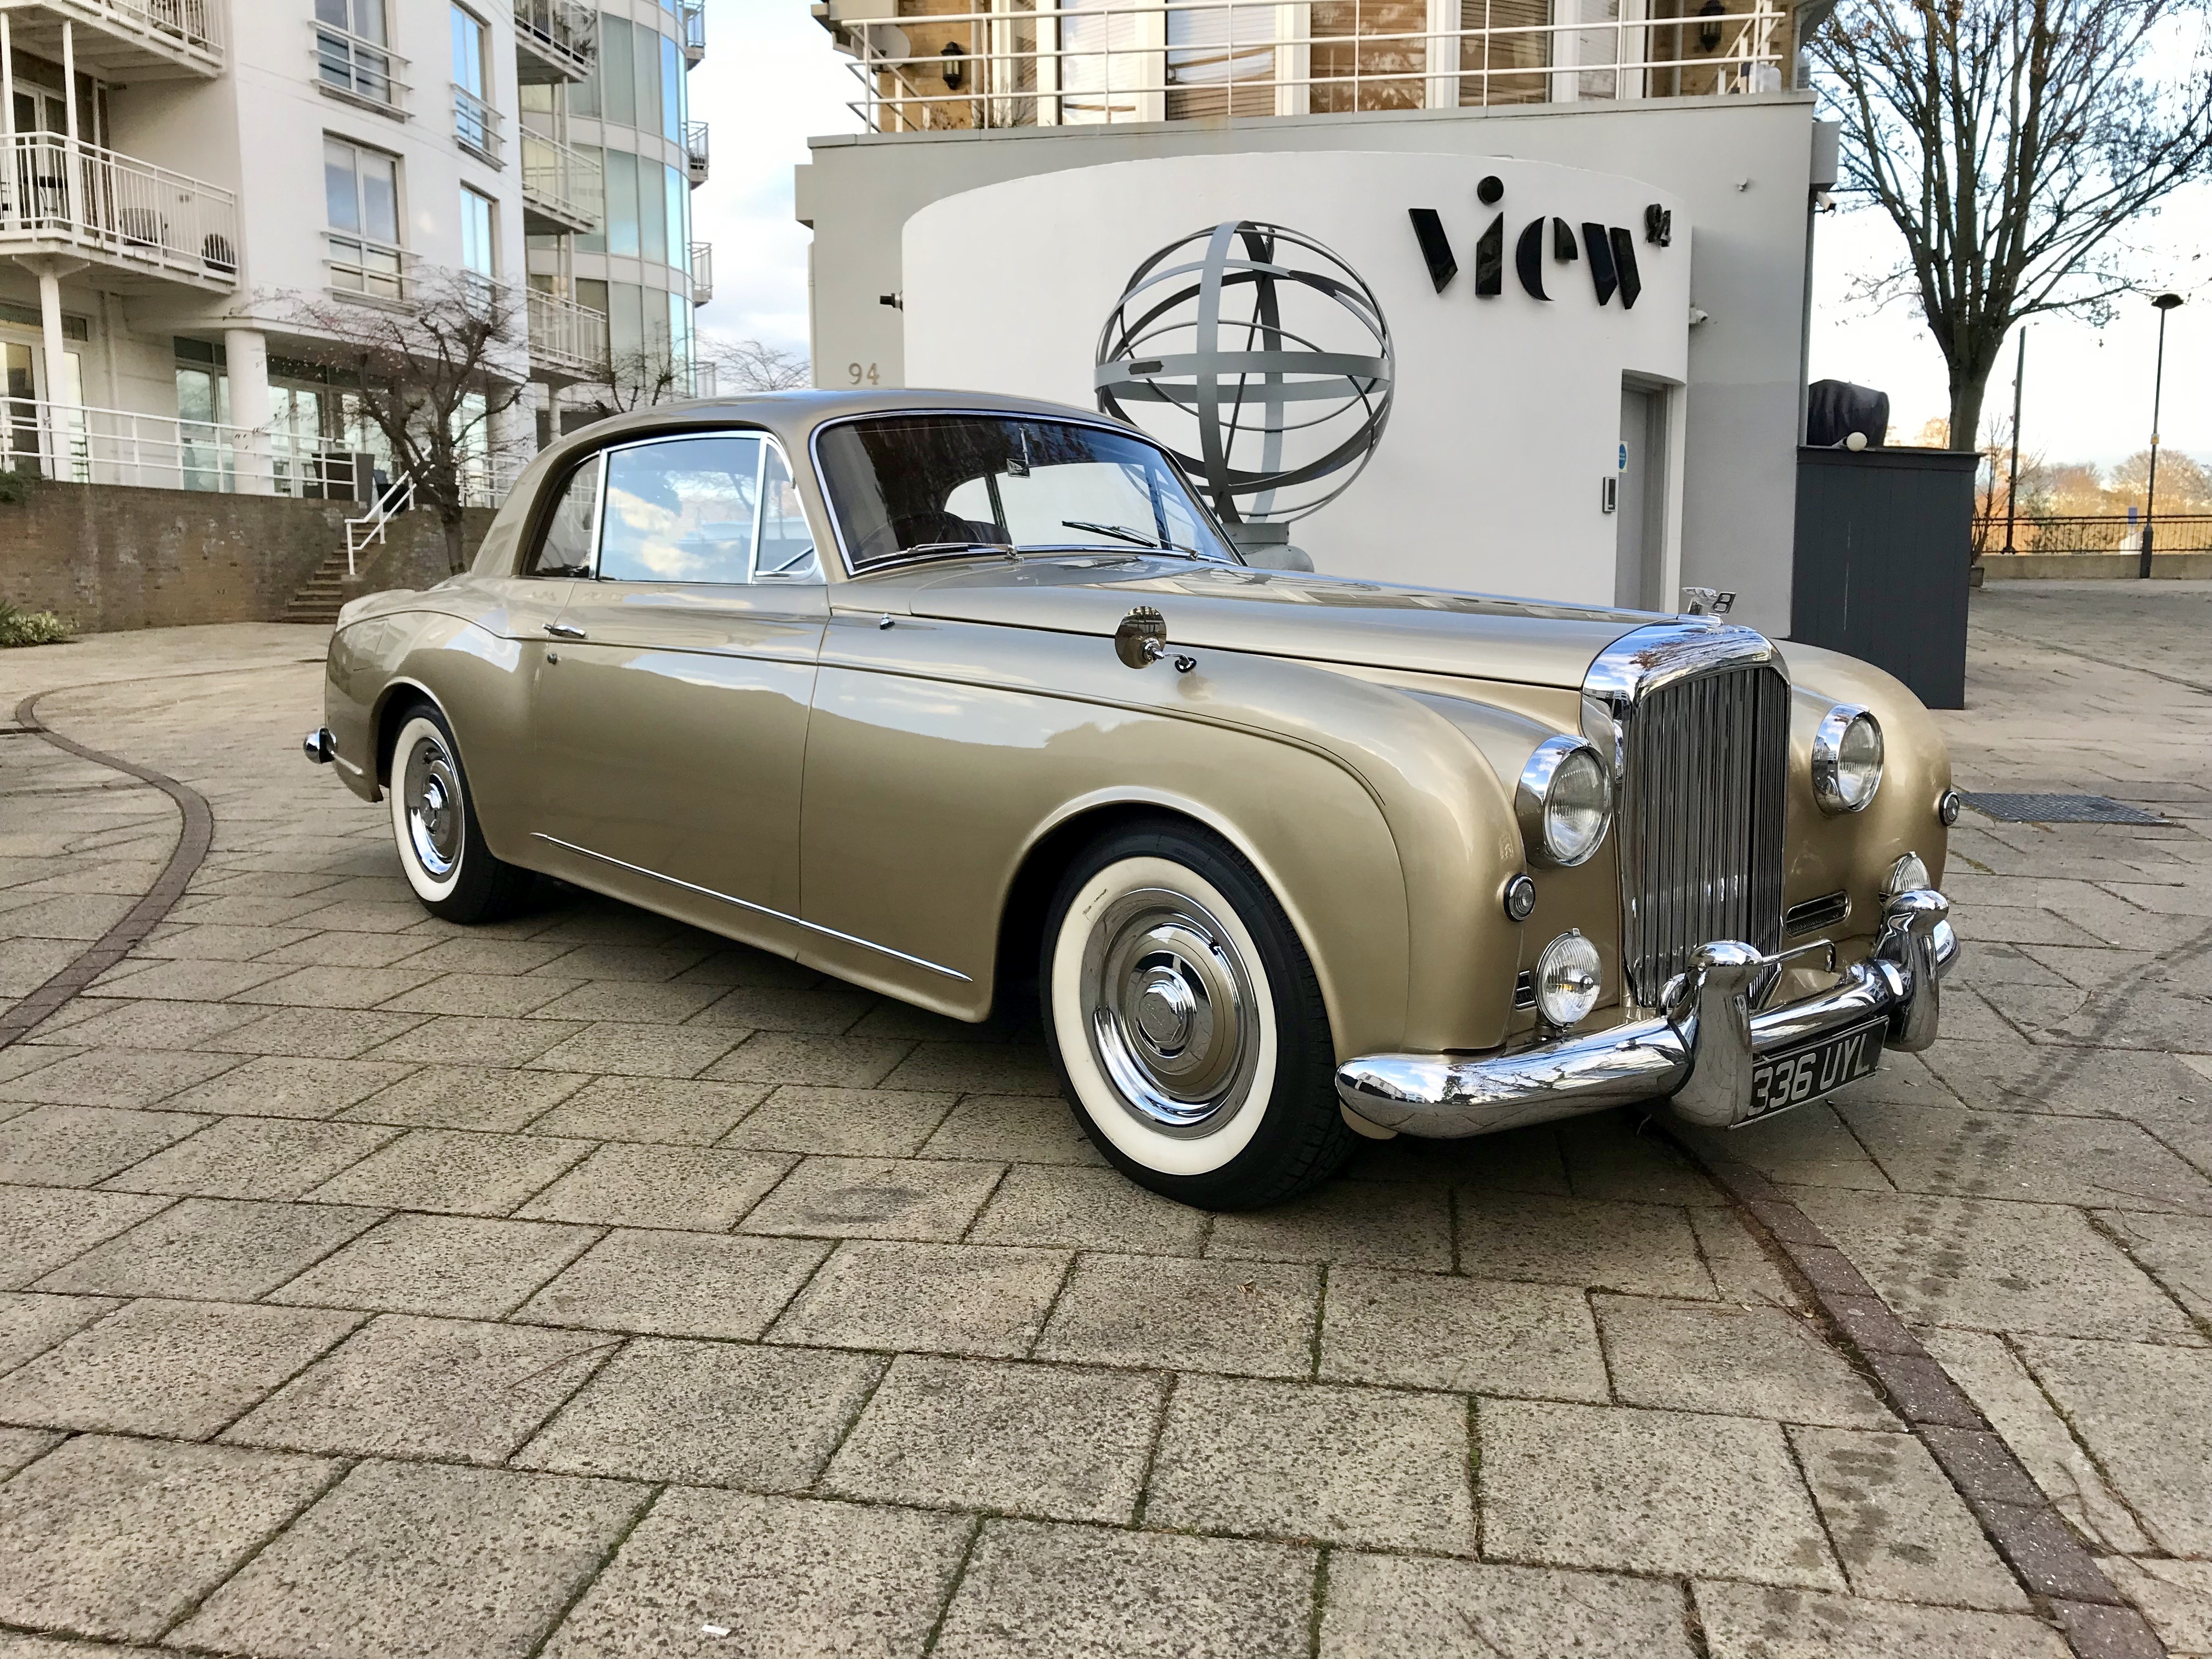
<point x="191" y="182"/>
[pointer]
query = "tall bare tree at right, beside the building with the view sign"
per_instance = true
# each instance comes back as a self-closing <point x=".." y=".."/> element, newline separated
<point x="2012" y="143"/>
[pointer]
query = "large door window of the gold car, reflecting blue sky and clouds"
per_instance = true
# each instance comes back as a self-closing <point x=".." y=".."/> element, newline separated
<point x="682" y="510"/>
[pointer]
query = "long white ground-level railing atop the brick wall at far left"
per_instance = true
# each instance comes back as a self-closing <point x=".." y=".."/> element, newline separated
<point x="76" y="446"/>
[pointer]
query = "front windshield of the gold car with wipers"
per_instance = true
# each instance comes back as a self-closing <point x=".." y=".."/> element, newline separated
<point x="952" y="483"/>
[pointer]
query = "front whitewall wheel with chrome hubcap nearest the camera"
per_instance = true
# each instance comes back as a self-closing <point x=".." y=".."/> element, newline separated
<point x="1189" y="1025"/>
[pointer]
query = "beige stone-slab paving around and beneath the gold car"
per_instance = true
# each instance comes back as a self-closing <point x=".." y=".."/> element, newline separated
<point x="587" y="1286"/>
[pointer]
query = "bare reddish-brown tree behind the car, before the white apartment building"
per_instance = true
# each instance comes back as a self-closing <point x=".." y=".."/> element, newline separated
<point x="430" y="371"/>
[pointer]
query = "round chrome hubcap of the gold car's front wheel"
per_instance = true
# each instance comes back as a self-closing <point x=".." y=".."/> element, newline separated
<point x="1171" y="1012"/>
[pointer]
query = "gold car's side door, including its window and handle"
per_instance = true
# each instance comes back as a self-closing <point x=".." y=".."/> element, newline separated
<point x="674" y="709"/>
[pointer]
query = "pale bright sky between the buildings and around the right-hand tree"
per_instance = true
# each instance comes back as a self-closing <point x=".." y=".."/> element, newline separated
<point x="771" y="81"/>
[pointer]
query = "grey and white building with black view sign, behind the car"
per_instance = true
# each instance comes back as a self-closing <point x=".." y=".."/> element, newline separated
<point x="1016" y="165"/>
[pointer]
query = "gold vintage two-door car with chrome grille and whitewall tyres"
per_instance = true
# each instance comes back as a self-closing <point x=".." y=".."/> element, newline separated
<point x="968" y="700"/>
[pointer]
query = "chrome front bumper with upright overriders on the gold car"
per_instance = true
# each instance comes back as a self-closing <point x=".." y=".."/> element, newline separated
<point x="1700" y="1052"/>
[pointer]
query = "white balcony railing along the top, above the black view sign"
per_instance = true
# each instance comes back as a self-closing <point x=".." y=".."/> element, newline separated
<point x="1165" y="61"/>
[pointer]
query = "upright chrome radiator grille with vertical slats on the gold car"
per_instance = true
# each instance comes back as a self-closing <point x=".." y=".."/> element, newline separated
<point x="1702" y="822"/>
